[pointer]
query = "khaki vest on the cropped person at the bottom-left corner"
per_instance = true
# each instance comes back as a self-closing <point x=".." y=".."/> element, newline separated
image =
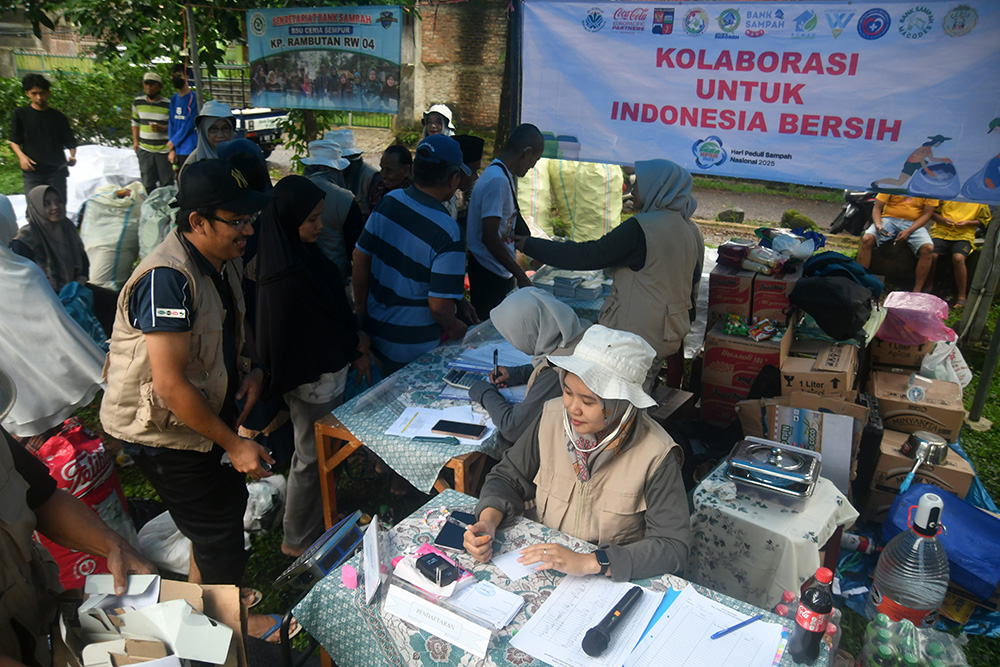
<point x="29" y="578"/>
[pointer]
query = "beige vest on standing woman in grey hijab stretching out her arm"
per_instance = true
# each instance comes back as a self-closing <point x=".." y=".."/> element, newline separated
<point x="654" y="301"/>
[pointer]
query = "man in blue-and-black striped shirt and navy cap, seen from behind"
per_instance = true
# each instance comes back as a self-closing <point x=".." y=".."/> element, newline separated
<point x="409" y="264"/>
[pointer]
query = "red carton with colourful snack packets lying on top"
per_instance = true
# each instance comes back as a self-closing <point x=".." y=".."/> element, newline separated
<point x="736" y="361"/>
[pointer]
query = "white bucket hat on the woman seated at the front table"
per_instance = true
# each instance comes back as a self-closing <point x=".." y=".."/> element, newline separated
<point x="612" y="363"/>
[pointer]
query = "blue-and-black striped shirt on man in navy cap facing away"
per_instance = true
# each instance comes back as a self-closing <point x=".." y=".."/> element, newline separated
<point x="417" y="252"/>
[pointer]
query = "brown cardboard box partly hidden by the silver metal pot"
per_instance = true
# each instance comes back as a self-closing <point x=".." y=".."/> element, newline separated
<point x="954" y="475"/>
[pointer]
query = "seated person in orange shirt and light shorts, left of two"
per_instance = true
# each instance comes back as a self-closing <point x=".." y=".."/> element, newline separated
<point x="900" y="218"/>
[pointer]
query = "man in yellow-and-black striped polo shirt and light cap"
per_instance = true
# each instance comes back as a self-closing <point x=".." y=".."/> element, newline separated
<point x="150" y="122"/>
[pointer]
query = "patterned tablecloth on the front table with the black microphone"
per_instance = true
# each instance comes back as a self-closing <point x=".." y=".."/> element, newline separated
<point x="359" y="635"/>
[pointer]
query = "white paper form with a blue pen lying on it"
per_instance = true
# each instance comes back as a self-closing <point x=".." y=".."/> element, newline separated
<point x="684" y="634"/>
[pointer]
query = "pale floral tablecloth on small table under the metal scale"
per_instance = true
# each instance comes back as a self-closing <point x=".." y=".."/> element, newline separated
<point x="755" y="549"/>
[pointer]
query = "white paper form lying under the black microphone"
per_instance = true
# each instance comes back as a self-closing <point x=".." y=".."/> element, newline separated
<point x="555" y="632"/>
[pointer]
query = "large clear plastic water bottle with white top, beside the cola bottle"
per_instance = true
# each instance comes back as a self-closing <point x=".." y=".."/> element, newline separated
<point x="911" y="577"/>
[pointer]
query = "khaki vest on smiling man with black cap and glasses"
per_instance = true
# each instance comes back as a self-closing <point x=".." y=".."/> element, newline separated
<point x="131" y="410"/>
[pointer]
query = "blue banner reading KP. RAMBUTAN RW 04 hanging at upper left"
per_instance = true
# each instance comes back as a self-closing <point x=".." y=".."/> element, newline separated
<point x="325" y="58"/>
